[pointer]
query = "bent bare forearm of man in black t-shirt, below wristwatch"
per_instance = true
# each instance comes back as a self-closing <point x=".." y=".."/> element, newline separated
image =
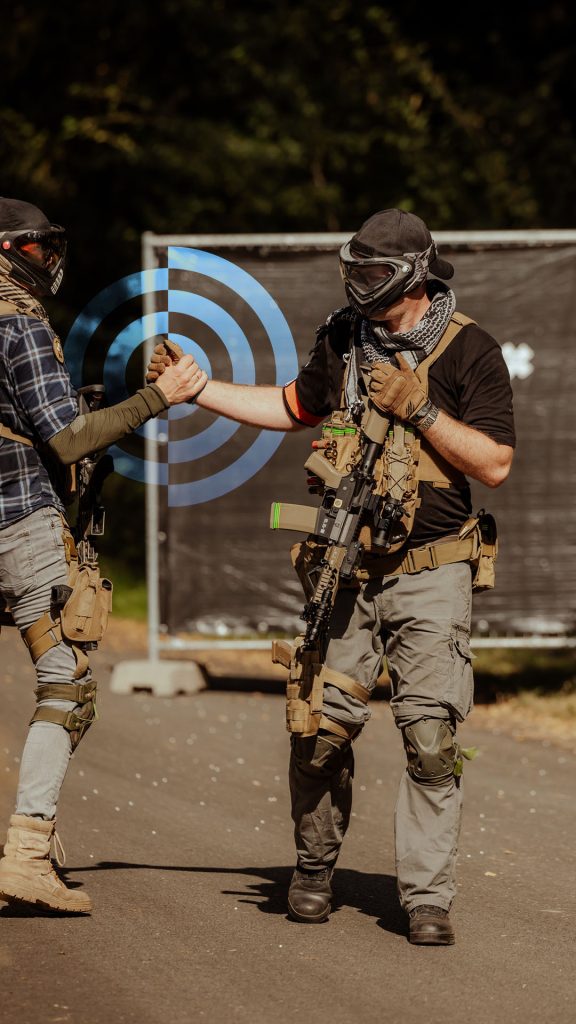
<point x="474" y="453"/>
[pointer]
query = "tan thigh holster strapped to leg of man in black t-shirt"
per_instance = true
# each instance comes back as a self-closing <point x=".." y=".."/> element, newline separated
<point x="305" y="690"/>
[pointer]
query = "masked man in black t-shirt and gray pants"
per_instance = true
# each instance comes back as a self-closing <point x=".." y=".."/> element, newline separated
<point x="403" y="353"/>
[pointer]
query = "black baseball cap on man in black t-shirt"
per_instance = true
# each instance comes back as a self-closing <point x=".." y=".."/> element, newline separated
<point x="396" y="233"/>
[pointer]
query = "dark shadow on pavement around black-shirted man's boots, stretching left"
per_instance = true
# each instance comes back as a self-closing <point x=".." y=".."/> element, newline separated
<point x="375" y="895"/>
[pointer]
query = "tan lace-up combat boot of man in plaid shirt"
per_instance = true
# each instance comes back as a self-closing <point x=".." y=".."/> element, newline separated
<point x="27" y="875"/>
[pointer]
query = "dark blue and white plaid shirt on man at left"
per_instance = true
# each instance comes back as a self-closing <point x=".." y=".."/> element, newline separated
<point x="37" y="400"/>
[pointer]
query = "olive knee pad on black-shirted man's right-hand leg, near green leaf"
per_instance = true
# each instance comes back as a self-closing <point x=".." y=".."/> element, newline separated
<point x="431" y="751"/>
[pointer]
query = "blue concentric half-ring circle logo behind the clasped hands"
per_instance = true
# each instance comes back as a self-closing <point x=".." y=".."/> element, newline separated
<point x="202" y="302"/>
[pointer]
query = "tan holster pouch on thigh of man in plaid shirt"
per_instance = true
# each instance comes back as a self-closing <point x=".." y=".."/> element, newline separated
<point x="85" y="617"/>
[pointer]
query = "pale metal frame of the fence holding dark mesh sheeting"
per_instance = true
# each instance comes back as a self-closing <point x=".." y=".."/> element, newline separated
<point x="315" y="241"/>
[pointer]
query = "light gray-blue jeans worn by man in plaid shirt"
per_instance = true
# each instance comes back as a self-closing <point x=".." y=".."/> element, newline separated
<point x="32" y="562"/>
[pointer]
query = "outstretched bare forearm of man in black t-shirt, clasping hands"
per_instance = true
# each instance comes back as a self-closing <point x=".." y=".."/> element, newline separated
<point x="252" y="405"/>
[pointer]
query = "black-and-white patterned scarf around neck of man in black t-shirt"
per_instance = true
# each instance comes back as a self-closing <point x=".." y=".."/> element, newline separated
<point x="380" y="346"/>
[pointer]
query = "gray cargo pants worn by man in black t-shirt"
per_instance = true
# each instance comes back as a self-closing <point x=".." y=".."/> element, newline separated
<point x="422" y="624"/>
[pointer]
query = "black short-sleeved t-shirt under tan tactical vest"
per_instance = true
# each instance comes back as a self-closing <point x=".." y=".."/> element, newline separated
<point x="470" y="381"/>
